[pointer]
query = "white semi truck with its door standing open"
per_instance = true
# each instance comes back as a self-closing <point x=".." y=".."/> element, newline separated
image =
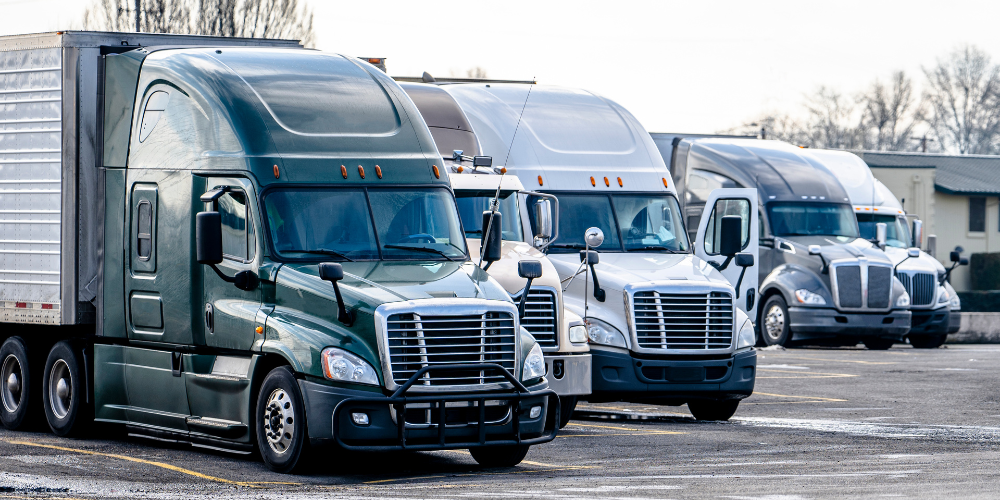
<point x="665" y="320"/>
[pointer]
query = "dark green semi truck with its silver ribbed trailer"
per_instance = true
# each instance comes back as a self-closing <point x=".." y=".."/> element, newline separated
<point x="244" y="245"/>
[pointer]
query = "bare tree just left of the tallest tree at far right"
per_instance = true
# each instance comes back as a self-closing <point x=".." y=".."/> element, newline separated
<point x="890" y="114"/>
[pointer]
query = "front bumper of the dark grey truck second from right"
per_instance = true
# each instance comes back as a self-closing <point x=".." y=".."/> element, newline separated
<point x="817" y="322"/>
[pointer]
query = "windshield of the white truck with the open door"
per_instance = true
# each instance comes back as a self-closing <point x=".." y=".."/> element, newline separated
<point x="630" y="222"/>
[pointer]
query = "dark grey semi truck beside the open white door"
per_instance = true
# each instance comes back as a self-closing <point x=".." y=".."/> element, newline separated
<point x="822" y="282"/>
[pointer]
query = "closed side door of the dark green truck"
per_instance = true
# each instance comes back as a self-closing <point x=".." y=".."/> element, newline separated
<point x="230" y="314"/>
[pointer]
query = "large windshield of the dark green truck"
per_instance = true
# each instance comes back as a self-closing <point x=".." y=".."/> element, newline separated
<point x="337" y="224"/>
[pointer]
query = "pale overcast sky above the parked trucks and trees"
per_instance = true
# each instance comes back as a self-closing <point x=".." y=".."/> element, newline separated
<point x="694" y="66"/>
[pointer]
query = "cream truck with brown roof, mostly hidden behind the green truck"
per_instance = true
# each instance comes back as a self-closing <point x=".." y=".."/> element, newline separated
<point x="559" y="331"/>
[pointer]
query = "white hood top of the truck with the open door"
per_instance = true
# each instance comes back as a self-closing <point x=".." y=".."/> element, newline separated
<point x="616" y="270"/>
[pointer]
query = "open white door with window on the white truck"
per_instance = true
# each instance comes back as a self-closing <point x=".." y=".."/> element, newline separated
<point x="743" y="203"/>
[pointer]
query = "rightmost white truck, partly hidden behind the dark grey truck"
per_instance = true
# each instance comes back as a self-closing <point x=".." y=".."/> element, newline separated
<point x="934" y="305"/>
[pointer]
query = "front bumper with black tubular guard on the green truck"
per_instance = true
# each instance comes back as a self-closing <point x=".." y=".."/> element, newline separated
<point x="472" y="418"/>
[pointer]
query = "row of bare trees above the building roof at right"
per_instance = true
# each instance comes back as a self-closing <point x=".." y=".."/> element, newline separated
<point x="957" y="111"/>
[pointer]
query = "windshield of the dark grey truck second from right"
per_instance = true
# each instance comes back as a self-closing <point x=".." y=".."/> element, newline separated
<point x="812" y="219"/>
